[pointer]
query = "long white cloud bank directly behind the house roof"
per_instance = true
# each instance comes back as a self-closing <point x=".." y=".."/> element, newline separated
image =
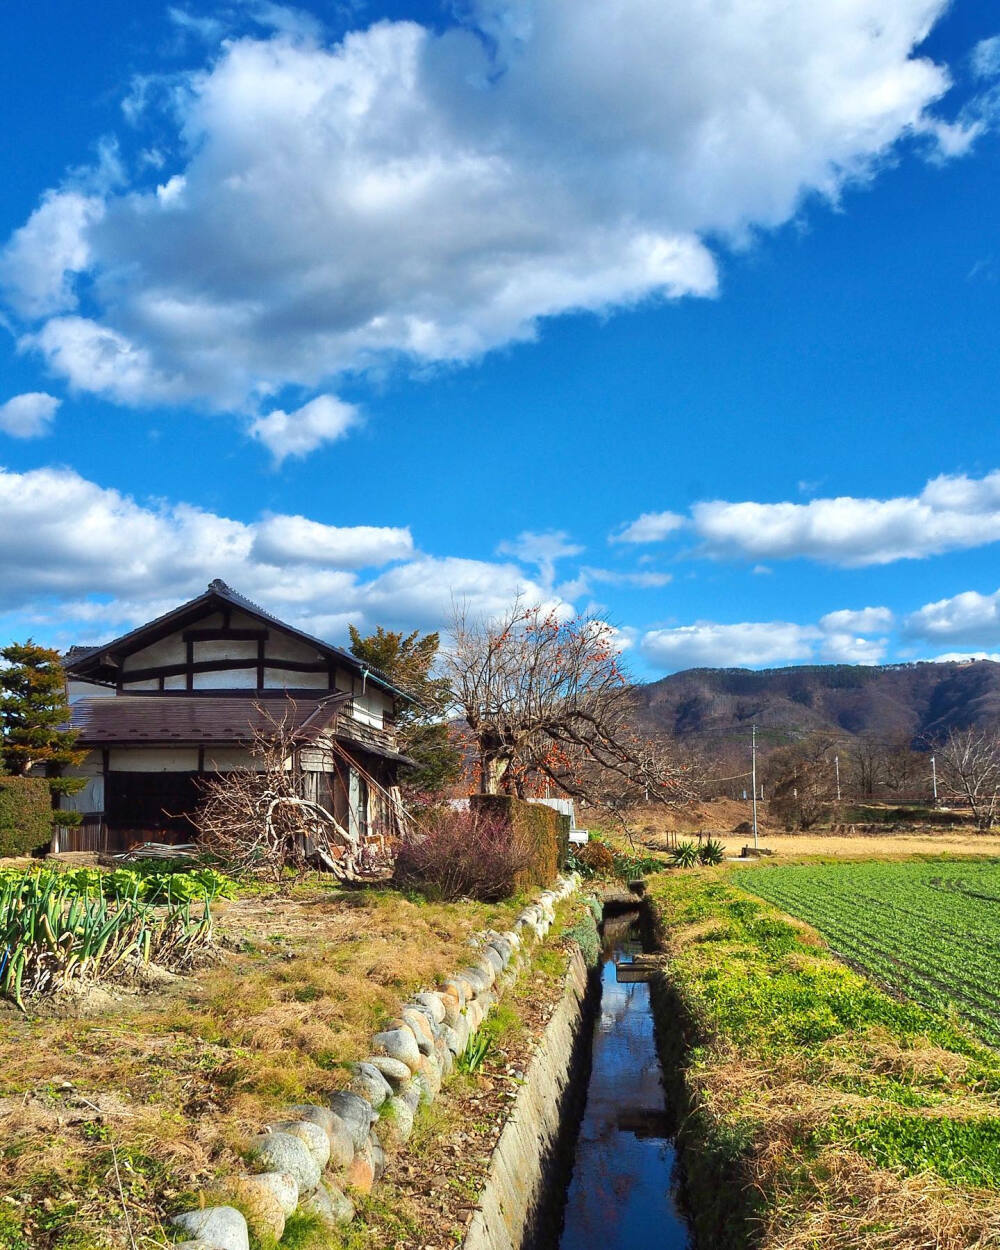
<point x="106" y="561"/>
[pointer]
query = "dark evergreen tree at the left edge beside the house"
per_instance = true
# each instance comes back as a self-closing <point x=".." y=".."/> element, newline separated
<point x="34" y="714"/>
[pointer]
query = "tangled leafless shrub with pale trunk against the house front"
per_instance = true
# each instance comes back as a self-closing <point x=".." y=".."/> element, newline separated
<point x="261" y="823"/>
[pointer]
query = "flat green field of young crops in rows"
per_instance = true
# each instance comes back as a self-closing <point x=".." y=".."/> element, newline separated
<point x="929" y="929"/>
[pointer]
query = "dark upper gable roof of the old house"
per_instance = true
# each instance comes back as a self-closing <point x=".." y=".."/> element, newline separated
<point x="89" y="662"/>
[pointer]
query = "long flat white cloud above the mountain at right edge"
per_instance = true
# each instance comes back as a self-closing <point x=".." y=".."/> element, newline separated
<point x="952" y="513"/>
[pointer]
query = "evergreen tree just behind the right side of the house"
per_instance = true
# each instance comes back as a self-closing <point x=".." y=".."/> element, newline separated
<point x="424" y="734"/>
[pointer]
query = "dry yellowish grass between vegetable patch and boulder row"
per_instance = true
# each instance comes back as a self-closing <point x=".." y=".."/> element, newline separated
<point x="178" y="1081"/>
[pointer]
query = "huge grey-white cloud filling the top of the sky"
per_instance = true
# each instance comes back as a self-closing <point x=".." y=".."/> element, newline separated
<point x="429" y="196"/>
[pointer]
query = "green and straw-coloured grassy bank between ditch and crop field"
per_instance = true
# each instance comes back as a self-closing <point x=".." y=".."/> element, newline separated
<point x="823" y="1111"/>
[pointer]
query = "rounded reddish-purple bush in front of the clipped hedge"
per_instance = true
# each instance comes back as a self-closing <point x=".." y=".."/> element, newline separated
<point x="464" y="856"/>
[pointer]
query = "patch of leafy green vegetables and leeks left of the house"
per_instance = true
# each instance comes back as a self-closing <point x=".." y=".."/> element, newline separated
<point x="86" y="926"/>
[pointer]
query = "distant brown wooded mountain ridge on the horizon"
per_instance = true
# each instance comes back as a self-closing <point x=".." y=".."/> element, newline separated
<point x="894" y="702"/>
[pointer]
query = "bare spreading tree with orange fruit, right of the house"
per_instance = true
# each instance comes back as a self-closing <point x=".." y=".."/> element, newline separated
<point x="548" y="701"/>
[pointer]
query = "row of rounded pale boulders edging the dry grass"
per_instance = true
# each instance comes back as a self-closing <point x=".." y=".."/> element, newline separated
<point x="311" y="1157"/>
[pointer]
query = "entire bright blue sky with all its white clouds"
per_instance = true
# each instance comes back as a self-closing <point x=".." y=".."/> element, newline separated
<point x="372" y="309"/>
